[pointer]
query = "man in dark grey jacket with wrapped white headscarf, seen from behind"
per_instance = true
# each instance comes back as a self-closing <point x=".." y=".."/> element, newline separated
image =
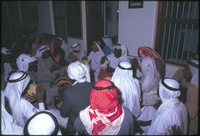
<point x="76" y="98"/>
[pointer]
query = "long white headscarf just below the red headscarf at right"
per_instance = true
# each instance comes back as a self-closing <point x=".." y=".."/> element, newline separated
<point x="150" y="75"/>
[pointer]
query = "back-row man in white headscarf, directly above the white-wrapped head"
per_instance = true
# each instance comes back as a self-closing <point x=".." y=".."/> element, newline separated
<point x="78" y="51"/>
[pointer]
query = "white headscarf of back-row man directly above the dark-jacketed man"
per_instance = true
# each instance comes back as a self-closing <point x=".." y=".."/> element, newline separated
<point x="77" y="46"/>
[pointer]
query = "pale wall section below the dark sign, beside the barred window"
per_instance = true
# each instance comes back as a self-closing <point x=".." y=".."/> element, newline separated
<point x="137" y="26"/>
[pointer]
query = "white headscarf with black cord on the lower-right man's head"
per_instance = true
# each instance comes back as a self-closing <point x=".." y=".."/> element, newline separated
<point x="168" y="89"/>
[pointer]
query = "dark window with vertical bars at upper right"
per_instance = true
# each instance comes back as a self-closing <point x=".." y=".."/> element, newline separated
<point x="177" y="30"/>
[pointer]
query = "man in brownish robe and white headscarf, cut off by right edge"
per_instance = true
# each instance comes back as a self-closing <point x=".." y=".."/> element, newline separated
<point x="188" y="78"/>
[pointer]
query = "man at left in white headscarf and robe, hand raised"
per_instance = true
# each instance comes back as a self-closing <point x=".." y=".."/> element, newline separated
<point x="18" y="107"/>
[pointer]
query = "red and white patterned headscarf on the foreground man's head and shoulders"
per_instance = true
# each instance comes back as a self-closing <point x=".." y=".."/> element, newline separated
<point x="105" y="115"/>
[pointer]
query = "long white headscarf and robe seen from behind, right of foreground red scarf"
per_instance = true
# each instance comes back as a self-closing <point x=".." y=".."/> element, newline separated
<point x="129" y="87"/>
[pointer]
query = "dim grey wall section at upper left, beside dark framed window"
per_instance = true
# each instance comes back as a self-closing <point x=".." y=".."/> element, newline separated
<point x="45" y="17"/>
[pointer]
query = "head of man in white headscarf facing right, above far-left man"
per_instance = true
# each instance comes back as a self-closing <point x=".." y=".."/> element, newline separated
<point x="26" y="63"/>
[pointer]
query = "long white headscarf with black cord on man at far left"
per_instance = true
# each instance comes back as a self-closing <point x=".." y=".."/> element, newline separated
<point x="17" y="82"/>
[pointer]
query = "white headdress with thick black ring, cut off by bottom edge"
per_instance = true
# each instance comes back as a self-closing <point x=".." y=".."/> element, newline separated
<point x="41" y="123"/>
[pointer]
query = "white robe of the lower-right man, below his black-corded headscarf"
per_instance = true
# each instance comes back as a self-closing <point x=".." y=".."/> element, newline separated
<point x="169" y="113"/>
